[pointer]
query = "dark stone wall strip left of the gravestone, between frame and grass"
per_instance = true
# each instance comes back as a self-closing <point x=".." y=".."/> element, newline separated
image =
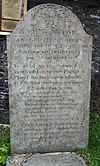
<point x="4" y="104"/>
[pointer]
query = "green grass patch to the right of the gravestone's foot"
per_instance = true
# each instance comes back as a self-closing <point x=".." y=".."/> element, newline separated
<point x="92" y="154"/>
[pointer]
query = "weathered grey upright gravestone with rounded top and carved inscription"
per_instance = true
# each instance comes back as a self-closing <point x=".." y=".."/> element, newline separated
<point x="49" y="60"/>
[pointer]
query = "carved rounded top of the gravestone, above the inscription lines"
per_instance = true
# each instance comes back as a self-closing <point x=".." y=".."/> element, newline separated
<point x="49" y="17"/>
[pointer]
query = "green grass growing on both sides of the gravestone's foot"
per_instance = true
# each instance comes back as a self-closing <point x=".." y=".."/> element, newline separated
<point x="91" y="155"/>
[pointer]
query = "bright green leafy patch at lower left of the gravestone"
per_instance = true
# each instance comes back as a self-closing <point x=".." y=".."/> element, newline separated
<point x="4" y="144"/>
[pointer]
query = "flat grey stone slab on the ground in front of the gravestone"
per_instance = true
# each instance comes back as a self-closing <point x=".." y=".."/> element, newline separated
<point x="48" y="159"/>
